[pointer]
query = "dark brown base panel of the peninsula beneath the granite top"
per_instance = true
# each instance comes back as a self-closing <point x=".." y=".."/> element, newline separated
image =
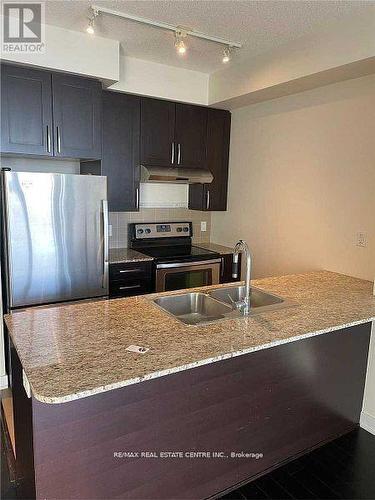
<point x="276" y="403"/>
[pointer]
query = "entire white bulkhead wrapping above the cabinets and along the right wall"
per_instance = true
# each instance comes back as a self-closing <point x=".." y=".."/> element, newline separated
<point x="333" y="55"/>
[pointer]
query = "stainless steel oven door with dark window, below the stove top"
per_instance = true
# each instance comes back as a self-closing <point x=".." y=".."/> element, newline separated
<point x="180" y="275"/>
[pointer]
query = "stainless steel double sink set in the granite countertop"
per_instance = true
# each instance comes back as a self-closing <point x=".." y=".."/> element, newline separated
<point x="196" y="308"/>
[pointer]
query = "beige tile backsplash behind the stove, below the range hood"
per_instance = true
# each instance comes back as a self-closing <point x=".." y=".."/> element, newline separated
<point x="120" y="220"/>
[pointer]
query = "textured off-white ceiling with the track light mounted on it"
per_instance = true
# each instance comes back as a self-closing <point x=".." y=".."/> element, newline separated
<point x="260" y="25"/>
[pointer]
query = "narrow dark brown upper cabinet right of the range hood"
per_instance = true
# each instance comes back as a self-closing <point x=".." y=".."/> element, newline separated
<point x="213" y="197"/>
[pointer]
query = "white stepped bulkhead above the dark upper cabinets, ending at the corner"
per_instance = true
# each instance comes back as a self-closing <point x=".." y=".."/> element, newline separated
<point x="79" y="53"/>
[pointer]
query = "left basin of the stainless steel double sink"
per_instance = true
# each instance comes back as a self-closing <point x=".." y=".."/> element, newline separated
<point x="193" y="308"/>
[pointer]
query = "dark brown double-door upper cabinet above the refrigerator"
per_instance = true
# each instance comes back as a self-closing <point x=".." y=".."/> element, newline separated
<point x="49" y="114"/>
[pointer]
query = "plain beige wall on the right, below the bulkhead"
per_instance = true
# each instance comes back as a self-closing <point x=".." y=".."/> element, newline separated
<point x="302" y="179"/>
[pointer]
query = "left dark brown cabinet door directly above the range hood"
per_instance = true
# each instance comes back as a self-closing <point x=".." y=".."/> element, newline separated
<point x="157" y="133"/>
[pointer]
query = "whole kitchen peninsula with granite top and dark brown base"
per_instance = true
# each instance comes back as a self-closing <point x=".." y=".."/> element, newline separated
<point x="276" y="384"/>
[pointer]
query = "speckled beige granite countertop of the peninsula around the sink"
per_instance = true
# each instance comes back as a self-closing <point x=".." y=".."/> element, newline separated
<point x="73" y="351"/>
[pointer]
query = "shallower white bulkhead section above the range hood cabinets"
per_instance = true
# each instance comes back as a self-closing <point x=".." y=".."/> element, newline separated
<point x="167" y="82"/>
